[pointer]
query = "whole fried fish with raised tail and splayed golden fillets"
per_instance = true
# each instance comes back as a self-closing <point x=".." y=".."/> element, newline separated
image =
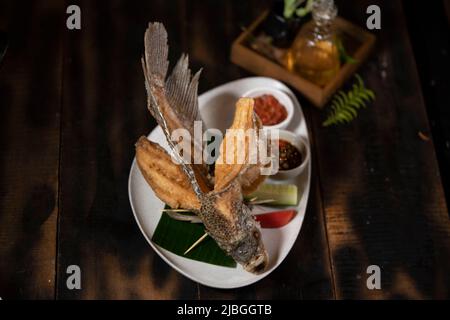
<point x="173" y="103"/>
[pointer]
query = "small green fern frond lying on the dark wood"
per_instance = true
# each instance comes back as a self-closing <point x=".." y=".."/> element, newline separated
<point x="345" y="106"/>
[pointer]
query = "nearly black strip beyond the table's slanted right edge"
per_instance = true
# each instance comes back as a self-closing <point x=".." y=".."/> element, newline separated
<point x="431" y="44"/>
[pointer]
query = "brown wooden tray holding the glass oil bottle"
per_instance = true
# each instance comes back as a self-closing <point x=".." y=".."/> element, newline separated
<point x="361" y="43"/>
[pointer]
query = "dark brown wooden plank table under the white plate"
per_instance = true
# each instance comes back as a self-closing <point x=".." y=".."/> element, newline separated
<point x="72" y="104"/>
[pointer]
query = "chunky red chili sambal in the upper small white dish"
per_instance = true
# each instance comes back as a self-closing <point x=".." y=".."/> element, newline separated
<point x="269" y="110"/>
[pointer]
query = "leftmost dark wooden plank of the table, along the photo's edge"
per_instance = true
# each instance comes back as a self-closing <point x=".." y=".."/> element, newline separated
<point x="30" y="98"/>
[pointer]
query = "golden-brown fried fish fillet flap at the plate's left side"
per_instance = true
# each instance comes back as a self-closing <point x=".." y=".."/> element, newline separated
<point x="166" y="178"/>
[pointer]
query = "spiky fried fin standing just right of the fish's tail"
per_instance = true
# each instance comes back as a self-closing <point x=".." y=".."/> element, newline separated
<point x="181" y="92"/>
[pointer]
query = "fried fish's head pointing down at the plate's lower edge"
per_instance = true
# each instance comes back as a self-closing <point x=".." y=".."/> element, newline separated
<point x="228" y="220"/>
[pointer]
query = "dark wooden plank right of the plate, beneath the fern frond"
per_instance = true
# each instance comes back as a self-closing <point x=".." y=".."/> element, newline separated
<point x="382" y="194"/>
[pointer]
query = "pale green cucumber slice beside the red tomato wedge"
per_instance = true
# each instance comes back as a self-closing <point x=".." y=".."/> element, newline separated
<point x="282" y="194"/>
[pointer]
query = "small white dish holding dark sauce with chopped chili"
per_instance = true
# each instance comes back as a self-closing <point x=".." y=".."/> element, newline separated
<point x="302" y="145"/>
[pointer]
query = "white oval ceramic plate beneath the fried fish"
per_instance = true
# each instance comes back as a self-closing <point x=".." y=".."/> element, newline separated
<point x="217" y="109"/>
